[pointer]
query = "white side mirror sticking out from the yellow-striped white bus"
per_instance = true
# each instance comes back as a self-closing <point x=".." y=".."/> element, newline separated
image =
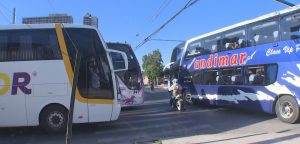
<point x="119" y="60"/>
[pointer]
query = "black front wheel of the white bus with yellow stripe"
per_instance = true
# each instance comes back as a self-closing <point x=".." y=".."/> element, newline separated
<point x="54" y="119"/>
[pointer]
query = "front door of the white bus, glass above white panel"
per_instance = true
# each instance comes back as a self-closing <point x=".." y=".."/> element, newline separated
<point x="100" y="89"/>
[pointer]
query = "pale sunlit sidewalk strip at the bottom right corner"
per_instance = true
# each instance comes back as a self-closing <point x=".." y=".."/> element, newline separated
<point x="239" y="138"/>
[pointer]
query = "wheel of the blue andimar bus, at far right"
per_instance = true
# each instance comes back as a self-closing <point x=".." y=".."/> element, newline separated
<point x="287" y="109"/>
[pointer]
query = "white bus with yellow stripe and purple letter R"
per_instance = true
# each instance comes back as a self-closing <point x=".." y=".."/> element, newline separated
<point x="36" y="75"/>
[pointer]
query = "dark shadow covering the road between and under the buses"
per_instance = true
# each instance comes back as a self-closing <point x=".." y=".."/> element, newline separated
<point x="149" y="122"/>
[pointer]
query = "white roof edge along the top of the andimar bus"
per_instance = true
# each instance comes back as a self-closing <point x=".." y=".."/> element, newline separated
<point x="270" y="15"/>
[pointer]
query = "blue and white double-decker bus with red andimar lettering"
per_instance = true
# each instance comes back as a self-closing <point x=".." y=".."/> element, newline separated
<point x="251" y="65"/>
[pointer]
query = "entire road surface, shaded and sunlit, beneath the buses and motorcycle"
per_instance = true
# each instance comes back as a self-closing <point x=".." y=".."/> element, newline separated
<point x="154" y="121"/>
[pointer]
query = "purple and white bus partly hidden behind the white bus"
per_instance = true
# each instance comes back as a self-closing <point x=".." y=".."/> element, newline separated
<point x="130" y="81"/>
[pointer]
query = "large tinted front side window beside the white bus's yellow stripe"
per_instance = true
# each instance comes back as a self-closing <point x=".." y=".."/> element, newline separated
<point x="94" y="80"/>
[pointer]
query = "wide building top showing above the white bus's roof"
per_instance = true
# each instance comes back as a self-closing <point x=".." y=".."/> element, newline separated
<point x="51" y="18"/>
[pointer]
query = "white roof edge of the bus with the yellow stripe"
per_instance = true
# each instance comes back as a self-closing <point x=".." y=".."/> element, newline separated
<point x="42" y="26"/>
